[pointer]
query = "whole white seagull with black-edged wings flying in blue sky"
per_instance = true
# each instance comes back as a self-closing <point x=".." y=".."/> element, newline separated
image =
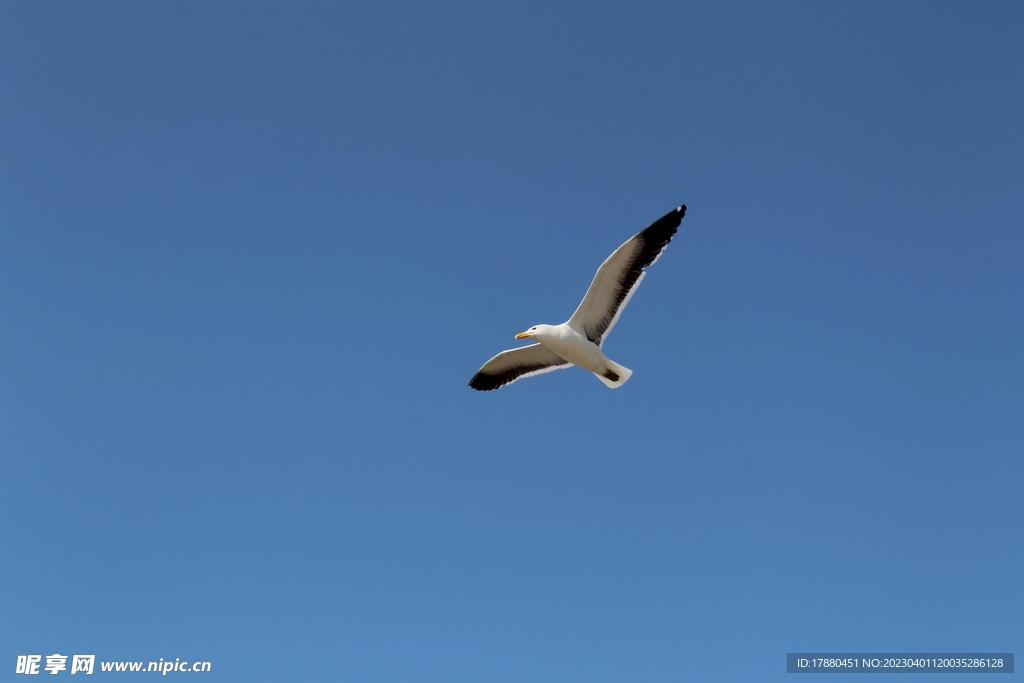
<point x="578" y="341"/>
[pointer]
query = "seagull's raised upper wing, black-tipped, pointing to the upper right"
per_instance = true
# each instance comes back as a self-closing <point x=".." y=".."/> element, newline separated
<point x="620" y="276"/>
